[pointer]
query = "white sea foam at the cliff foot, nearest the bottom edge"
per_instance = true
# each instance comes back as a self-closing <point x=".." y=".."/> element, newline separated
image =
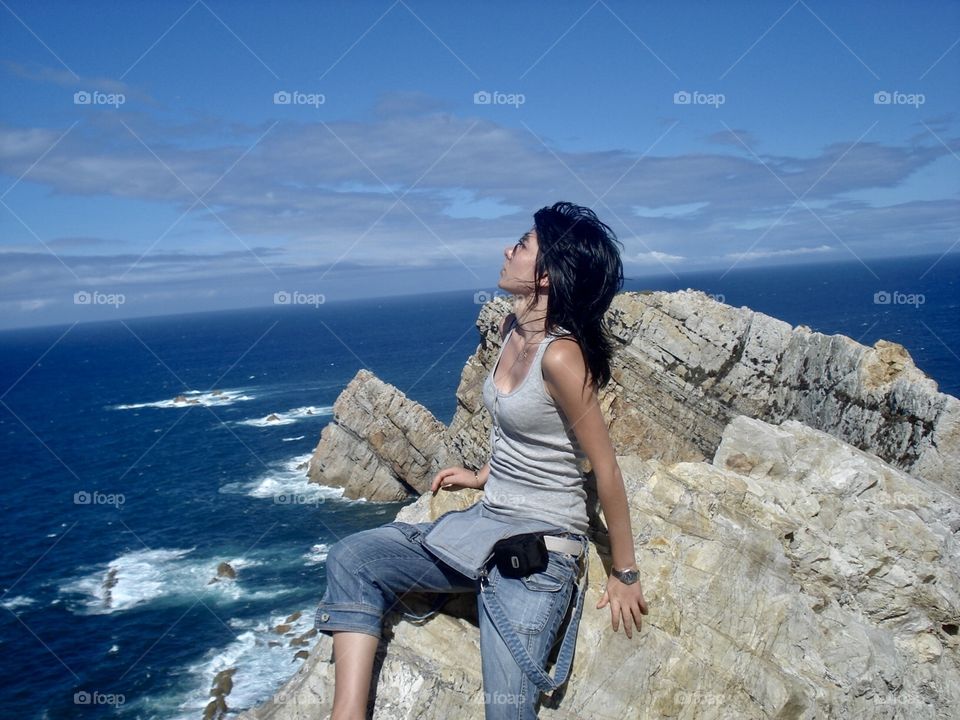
<point x="260" y="667"/>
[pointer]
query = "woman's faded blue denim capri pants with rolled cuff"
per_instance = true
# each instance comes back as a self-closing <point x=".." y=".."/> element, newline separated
<point x="367" y="571"/>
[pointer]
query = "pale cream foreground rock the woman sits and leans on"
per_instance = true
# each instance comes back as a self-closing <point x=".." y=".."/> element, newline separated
<point x="793" y="576"/>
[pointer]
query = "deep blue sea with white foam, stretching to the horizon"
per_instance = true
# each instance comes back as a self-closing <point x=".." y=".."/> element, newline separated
<point x="139" y="455"/>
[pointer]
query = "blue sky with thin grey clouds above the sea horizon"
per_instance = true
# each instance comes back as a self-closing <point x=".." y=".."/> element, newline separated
<point x="148" y="160"/>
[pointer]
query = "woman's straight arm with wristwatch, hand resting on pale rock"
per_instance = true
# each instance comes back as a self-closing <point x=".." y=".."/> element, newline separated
<point x="563" y="373"/>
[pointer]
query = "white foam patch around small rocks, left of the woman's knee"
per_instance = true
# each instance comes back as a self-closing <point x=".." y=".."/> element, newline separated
<point x="144" y="576"/>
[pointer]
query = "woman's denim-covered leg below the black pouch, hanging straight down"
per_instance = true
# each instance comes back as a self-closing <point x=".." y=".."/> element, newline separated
<point x="535" y="606"/>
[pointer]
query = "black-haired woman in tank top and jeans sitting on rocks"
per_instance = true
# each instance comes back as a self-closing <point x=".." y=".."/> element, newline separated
<point x="542" y="396"/>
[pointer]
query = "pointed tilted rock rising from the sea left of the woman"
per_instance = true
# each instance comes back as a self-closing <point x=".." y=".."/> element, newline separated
<point x="380" y="445"/>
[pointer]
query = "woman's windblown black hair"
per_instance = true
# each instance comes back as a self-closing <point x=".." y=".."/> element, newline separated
<point x="579" y="254"/>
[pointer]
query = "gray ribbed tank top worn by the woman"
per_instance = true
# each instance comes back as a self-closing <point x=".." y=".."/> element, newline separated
<point x="534" y="454"/>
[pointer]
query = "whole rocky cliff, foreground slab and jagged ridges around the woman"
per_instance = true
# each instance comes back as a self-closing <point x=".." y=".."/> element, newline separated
<point x="795" y="503"/>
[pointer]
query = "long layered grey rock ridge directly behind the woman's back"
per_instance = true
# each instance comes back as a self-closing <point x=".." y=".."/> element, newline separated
<point x="685" y="365"/>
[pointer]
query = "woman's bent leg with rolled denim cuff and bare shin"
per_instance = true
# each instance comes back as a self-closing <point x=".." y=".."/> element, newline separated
<point x="366" y="573"/>
